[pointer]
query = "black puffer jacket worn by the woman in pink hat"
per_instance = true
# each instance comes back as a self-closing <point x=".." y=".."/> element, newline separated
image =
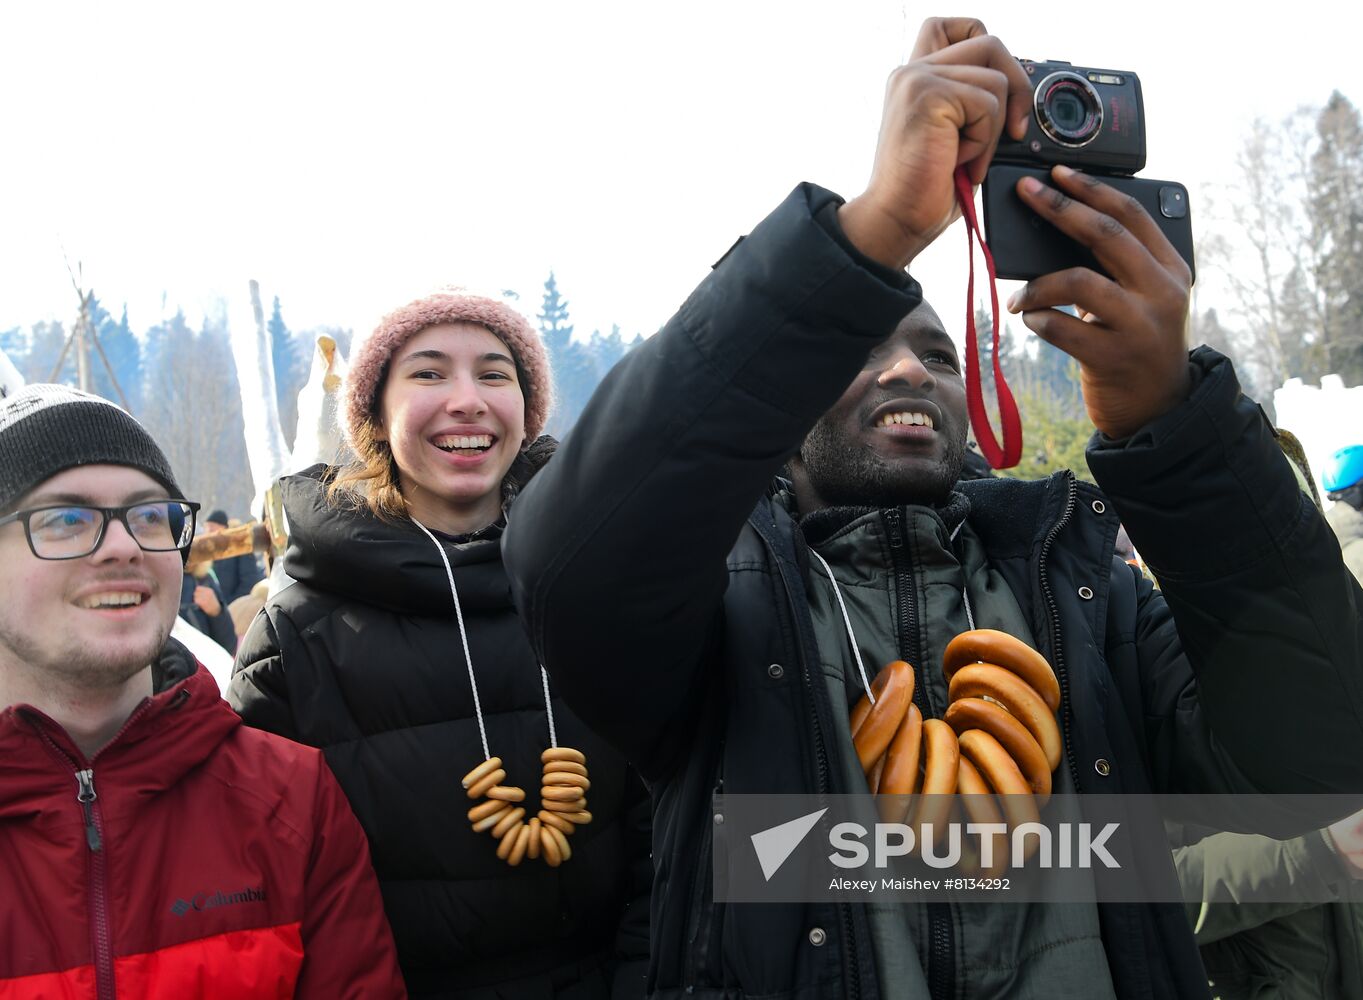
<point x="362" y="657"/>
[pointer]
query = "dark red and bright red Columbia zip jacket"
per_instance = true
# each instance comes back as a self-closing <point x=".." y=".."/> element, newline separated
<point x="192" y="858"/>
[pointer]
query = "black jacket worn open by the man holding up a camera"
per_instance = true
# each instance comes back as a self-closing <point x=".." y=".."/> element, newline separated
<point x="701" y="660"/>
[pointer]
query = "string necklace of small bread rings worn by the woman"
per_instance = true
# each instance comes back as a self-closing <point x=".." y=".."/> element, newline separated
<point x="564" y="785"/>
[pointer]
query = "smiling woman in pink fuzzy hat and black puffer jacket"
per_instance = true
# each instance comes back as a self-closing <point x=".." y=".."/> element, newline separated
<point x="512" y="844"/>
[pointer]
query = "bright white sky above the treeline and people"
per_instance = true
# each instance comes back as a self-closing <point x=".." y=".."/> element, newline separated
<point x="351" y="156"/>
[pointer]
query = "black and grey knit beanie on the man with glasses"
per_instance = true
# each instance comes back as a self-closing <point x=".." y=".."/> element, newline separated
<point x="47" y="430"/>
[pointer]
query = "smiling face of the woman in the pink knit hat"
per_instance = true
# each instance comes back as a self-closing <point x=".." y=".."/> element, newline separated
<point x="453" y="413"/>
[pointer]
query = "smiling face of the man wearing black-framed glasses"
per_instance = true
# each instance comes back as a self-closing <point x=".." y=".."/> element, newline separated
<point x="91" y="623"/>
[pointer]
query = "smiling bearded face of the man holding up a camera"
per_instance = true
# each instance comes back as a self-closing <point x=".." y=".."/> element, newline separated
<point x="898" y="434"/>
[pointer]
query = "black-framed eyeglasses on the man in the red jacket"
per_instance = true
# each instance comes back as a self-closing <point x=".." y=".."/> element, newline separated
<point x="74" y="532"/>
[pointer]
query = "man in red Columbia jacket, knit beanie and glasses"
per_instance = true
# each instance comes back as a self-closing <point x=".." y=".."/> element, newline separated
<point x="151" y="845"/>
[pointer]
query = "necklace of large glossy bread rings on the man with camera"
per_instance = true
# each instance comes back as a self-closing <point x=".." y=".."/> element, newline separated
<point x="998" y="736"/>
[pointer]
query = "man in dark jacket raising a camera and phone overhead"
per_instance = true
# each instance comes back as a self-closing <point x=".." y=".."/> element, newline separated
<point x="685" y="603"/>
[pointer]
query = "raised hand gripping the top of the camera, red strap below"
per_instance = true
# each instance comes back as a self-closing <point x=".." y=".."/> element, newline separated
<point x="947" y="107"/>
